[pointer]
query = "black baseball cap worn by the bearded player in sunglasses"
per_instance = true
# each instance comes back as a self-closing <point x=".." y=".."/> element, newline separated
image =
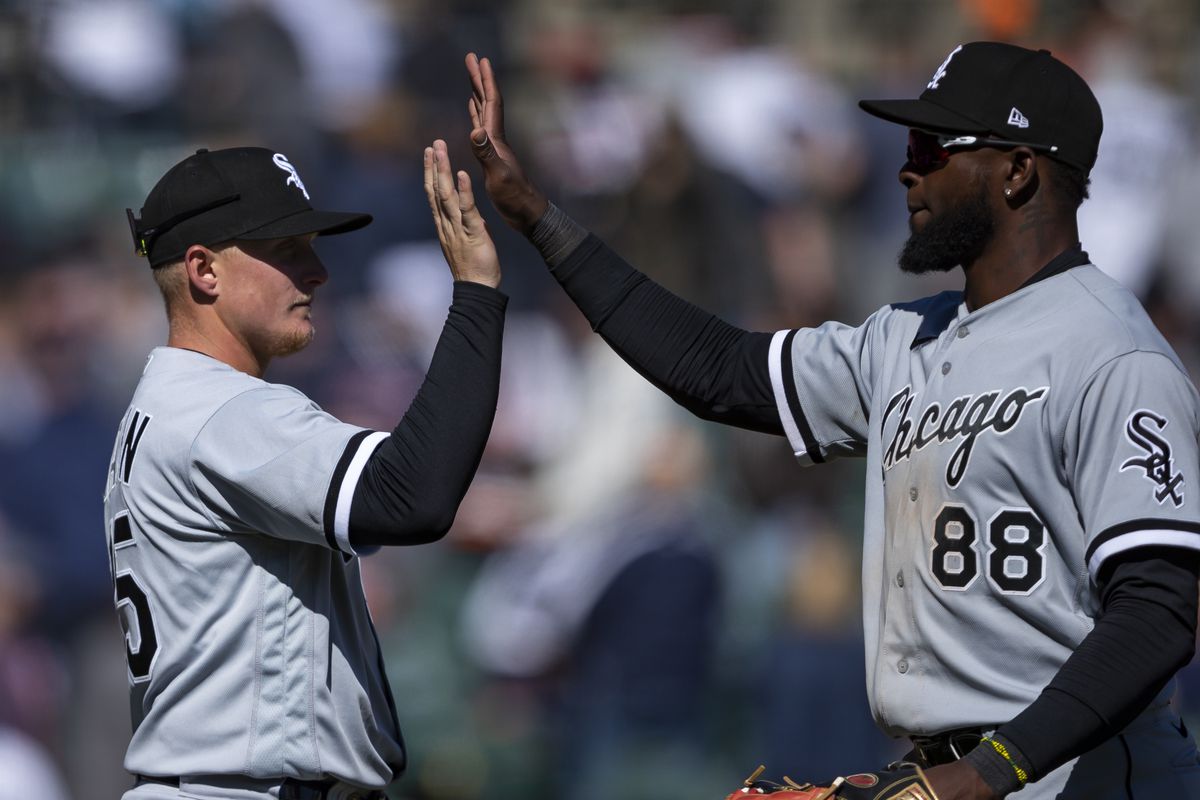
<point x="1007" y="93"/>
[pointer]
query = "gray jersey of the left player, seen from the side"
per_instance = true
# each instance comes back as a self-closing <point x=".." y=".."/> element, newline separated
<point x="251" y="651"/>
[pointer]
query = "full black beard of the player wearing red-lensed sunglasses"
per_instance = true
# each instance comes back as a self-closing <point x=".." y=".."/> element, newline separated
<point x="957" y="237"/>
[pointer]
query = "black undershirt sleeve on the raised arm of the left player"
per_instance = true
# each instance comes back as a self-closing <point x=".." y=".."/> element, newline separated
<point x="412" y="485"/>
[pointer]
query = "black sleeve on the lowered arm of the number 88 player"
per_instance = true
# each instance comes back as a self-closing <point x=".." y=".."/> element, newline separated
<point x="1145" y="634"/>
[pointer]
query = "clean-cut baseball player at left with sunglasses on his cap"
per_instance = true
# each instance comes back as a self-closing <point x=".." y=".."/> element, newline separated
<point x="237" y="510"/>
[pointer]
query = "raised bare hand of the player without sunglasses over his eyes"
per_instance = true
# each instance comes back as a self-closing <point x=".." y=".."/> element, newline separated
<point x="463" y="233"/>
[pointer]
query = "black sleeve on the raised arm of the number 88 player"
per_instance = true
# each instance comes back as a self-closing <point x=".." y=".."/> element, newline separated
<point x="715" y="370"/>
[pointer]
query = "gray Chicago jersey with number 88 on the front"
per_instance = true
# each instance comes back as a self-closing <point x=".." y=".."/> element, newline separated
<point x="1010" y="452"/>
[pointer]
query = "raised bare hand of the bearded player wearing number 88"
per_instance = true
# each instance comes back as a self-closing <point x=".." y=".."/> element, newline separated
<point x="514" y="196"/>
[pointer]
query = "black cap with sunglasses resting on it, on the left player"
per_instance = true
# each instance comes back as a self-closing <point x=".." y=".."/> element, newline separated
<point x="218" y="196"/>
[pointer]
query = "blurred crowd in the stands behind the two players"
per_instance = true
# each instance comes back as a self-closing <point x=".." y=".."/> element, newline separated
<point x="631" y="605"/>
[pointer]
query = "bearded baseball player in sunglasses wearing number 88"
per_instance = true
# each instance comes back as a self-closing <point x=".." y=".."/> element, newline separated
<point x="1031" y="525"/>
